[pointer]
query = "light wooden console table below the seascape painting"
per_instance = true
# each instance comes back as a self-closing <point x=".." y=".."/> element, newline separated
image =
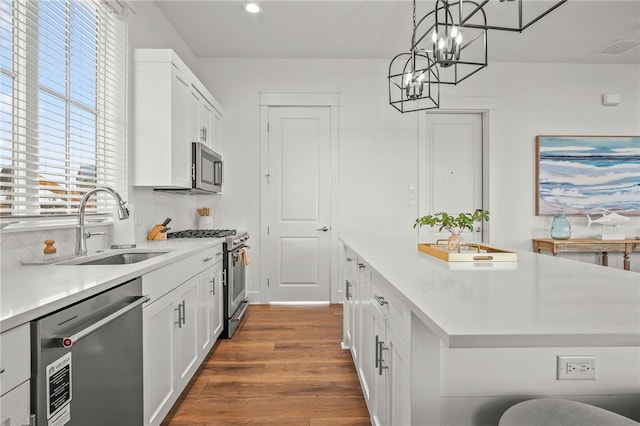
<point x="589" y="245"/>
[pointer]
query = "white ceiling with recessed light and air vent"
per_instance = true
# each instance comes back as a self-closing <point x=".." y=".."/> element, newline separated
<point x="380" y="29"/>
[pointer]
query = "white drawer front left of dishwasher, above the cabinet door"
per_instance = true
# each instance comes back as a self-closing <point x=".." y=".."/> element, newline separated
<point x="15" y="357"/>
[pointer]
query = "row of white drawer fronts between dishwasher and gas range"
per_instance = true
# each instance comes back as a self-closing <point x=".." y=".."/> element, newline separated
<point x="157" y="283"/>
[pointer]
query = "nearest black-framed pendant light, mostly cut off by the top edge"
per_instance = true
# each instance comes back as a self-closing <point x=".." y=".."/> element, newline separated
<point x="509" y="15"/>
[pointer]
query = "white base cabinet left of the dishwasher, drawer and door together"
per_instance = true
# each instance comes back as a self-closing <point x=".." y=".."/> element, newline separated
<point x="15" y="355"/>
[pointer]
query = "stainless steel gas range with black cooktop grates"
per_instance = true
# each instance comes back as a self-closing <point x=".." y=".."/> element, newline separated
<point x="234" y="280"/>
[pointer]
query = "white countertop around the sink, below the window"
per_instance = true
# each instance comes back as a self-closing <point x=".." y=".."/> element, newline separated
<point x="28" y="292"/>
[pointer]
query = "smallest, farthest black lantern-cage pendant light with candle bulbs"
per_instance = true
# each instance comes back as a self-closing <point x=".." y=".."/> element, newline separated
<point x="413" y="78"/>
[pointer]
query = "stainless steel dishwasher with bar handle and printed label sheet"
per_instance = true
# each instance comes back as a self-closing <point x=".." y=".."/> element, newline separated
<point x="87" y="361"/>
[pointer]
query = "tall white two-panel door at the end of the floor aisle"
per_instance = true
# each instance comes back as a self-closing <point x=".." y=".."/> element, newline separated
<point x="298" y="204"/>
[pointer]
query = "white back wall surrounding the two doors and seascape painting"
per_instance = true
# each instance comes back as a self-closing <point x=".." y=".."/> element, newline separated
<point x="378" y="145"/>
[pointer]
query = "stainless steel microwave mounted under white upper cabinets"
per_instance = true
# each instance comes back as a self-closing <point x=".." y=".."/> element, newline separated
<point x="206" y="169"/>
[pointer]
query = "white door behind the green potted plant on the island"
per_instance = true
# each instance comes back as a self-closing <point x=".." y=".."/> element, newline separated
<point x="452" y="160"/>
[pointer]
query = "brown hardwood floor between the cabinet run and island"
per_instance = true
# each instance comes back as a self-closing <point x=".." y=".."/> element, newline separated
<point x="284" y="366"/>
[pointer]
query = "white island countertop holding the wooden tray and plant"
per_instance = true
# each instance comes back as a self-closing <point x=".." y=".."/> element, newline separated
<point x="538" y="301"/>
